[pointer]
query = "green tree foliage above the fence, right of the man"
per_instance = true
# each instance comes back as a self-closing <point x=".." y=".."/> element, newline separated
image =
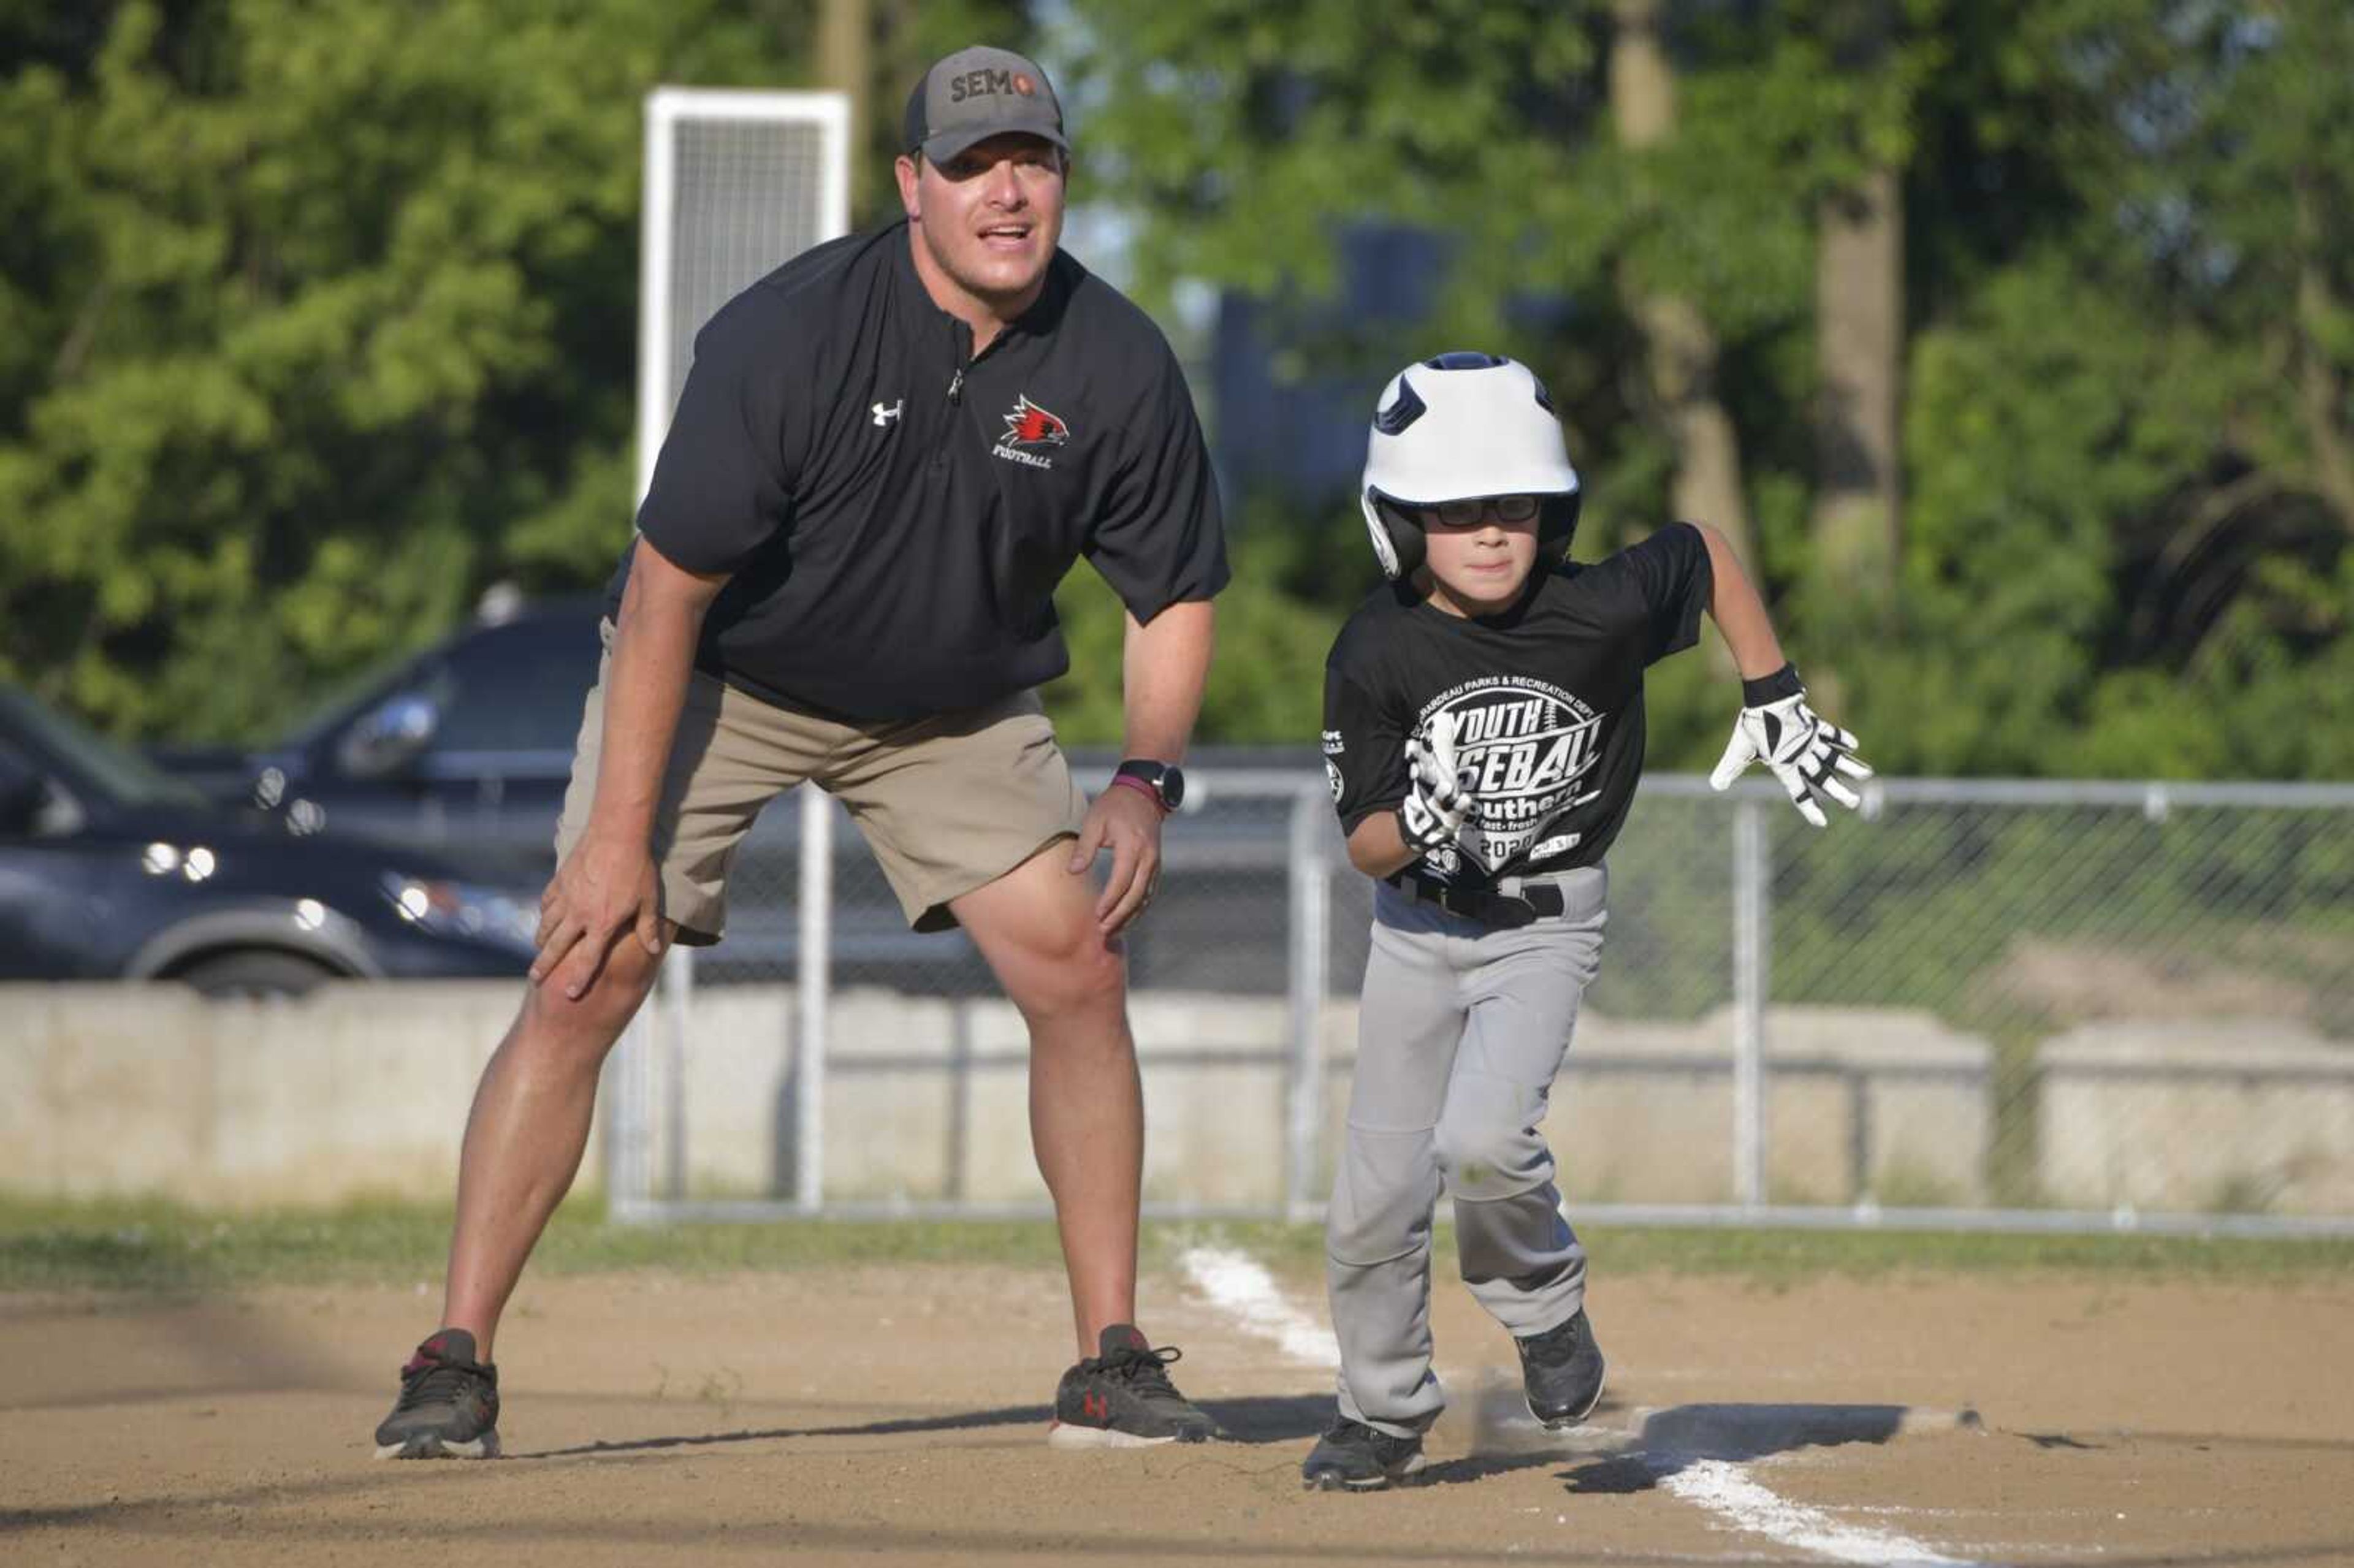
<point x="2127" y="234"/>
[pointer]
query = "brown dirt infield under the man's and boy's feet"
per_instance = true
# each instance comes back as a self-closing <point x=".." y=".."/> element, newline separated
<point x="898" y="1416"/>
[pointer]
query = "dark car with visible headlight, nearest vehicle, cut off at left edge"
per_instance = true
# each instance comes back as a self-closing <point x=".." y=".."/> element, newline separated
<point x="112" y="870"/>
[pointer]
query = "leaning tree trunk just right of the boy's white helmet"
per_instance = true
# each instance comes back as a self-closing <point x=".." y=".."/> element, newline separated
<point x="1680" y="345"/>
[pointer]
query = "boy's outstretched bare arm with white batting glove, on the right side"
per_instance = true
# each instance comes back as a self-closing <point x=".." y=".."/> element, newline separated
<point x="1776" y="724"/>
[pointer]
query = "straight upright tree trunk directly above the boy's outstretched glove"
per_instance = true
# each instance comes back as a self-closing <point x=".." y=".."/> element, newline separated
<point x="1858" y="423"/>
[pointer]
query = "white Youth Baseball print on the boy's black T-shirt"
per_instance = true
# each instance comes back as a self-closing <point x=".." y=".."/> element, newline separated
<point x="1524" y="750"/>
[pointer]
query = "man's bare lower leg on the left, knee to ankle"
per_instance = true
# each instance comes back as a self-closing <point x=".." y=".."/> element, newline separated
<point x="528" y="1131"/>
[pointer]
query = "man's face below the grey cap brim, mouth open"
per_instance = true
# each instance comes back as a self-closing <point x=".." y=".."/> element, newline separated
<point x="990" y="218"/>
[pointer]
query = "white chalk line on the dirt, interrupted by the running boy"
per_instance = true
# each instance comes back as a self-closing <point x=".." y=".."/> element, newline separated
<point x="1239" y="1287"/>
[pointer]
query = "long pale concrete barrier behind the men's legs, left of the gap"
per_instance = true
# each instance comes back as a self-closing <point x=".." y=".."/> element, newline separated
<point x="364" y="1091"/>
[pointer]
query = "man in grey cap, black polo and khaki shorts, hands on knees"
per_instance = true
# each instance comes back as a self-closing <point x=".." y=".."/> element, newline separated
<point x="884" y="460"/>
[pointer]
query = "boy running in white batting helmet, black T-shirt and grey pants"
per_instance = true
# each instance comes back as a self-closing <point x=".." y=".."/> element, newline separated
<point x="1484" y="731"/>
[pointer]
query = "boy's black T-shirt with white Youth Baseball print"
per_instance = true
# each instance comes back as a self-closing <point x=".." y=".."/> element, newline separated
<point x="1548" y="700"/>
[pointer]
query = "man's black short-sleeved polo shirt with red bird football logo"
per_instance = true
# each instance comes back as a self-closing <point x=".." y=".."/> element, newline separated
<point x="896" y="512"/>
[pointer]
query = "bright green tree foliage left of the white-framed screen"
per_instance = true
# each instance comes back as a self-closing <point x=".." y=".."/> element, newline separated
<point x="326" y="324"/>
